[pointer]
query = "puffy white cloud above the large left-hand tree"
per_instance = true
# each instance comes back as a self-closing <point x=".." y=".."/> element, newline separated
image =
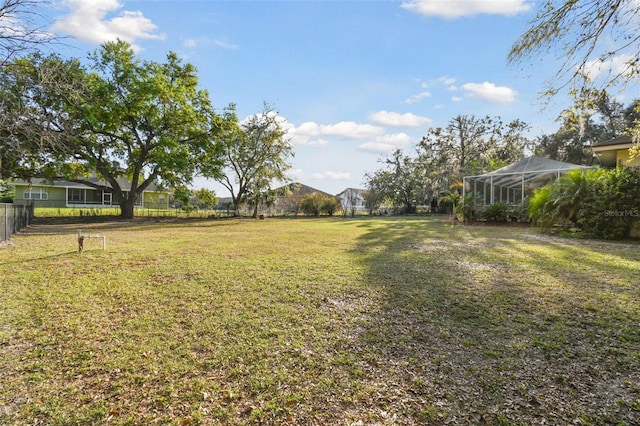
<point x="88" y="21"/>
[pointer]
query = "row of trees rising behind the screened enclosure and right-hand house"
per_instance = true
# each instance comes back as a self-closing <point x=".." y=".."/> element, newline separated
<point x="469" y="146"/>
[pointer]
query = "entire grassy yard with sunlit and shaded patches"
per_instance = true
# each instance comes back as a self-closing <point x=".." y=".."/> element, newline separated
<point x="317" y="321"/>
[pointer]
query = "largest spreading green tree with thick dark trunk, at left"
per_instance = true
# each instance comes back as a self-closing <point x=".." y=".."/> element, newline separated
<point x="118" y="117"/>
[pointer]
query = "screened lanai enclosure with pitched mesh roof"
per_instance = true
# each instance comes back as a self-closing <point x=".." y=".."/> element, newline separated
<point x="512" y="184"/>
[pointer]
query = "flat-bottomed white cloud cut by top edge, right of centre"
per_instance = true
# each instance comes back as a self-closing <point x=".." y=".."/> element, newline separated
<point x="452" y="9"/>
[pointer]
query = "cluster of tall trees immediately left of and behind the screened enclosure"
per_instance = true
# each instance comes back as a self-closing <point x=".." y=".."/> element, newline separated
<point x="468" y="145"/>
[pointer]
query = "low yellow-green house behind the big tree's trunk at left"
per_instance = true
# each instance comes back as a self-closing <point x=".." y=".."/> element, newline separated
<point x="72" y="194"/>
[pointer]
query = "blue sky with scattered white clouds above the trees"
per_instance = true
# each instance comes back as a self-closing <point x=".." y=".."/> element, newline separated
<point x="352" y="80"/>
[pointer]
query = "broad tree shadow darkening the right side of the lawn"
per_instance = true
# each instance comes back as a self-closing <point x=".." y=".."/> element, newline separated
<point x="501" y="325"/>
